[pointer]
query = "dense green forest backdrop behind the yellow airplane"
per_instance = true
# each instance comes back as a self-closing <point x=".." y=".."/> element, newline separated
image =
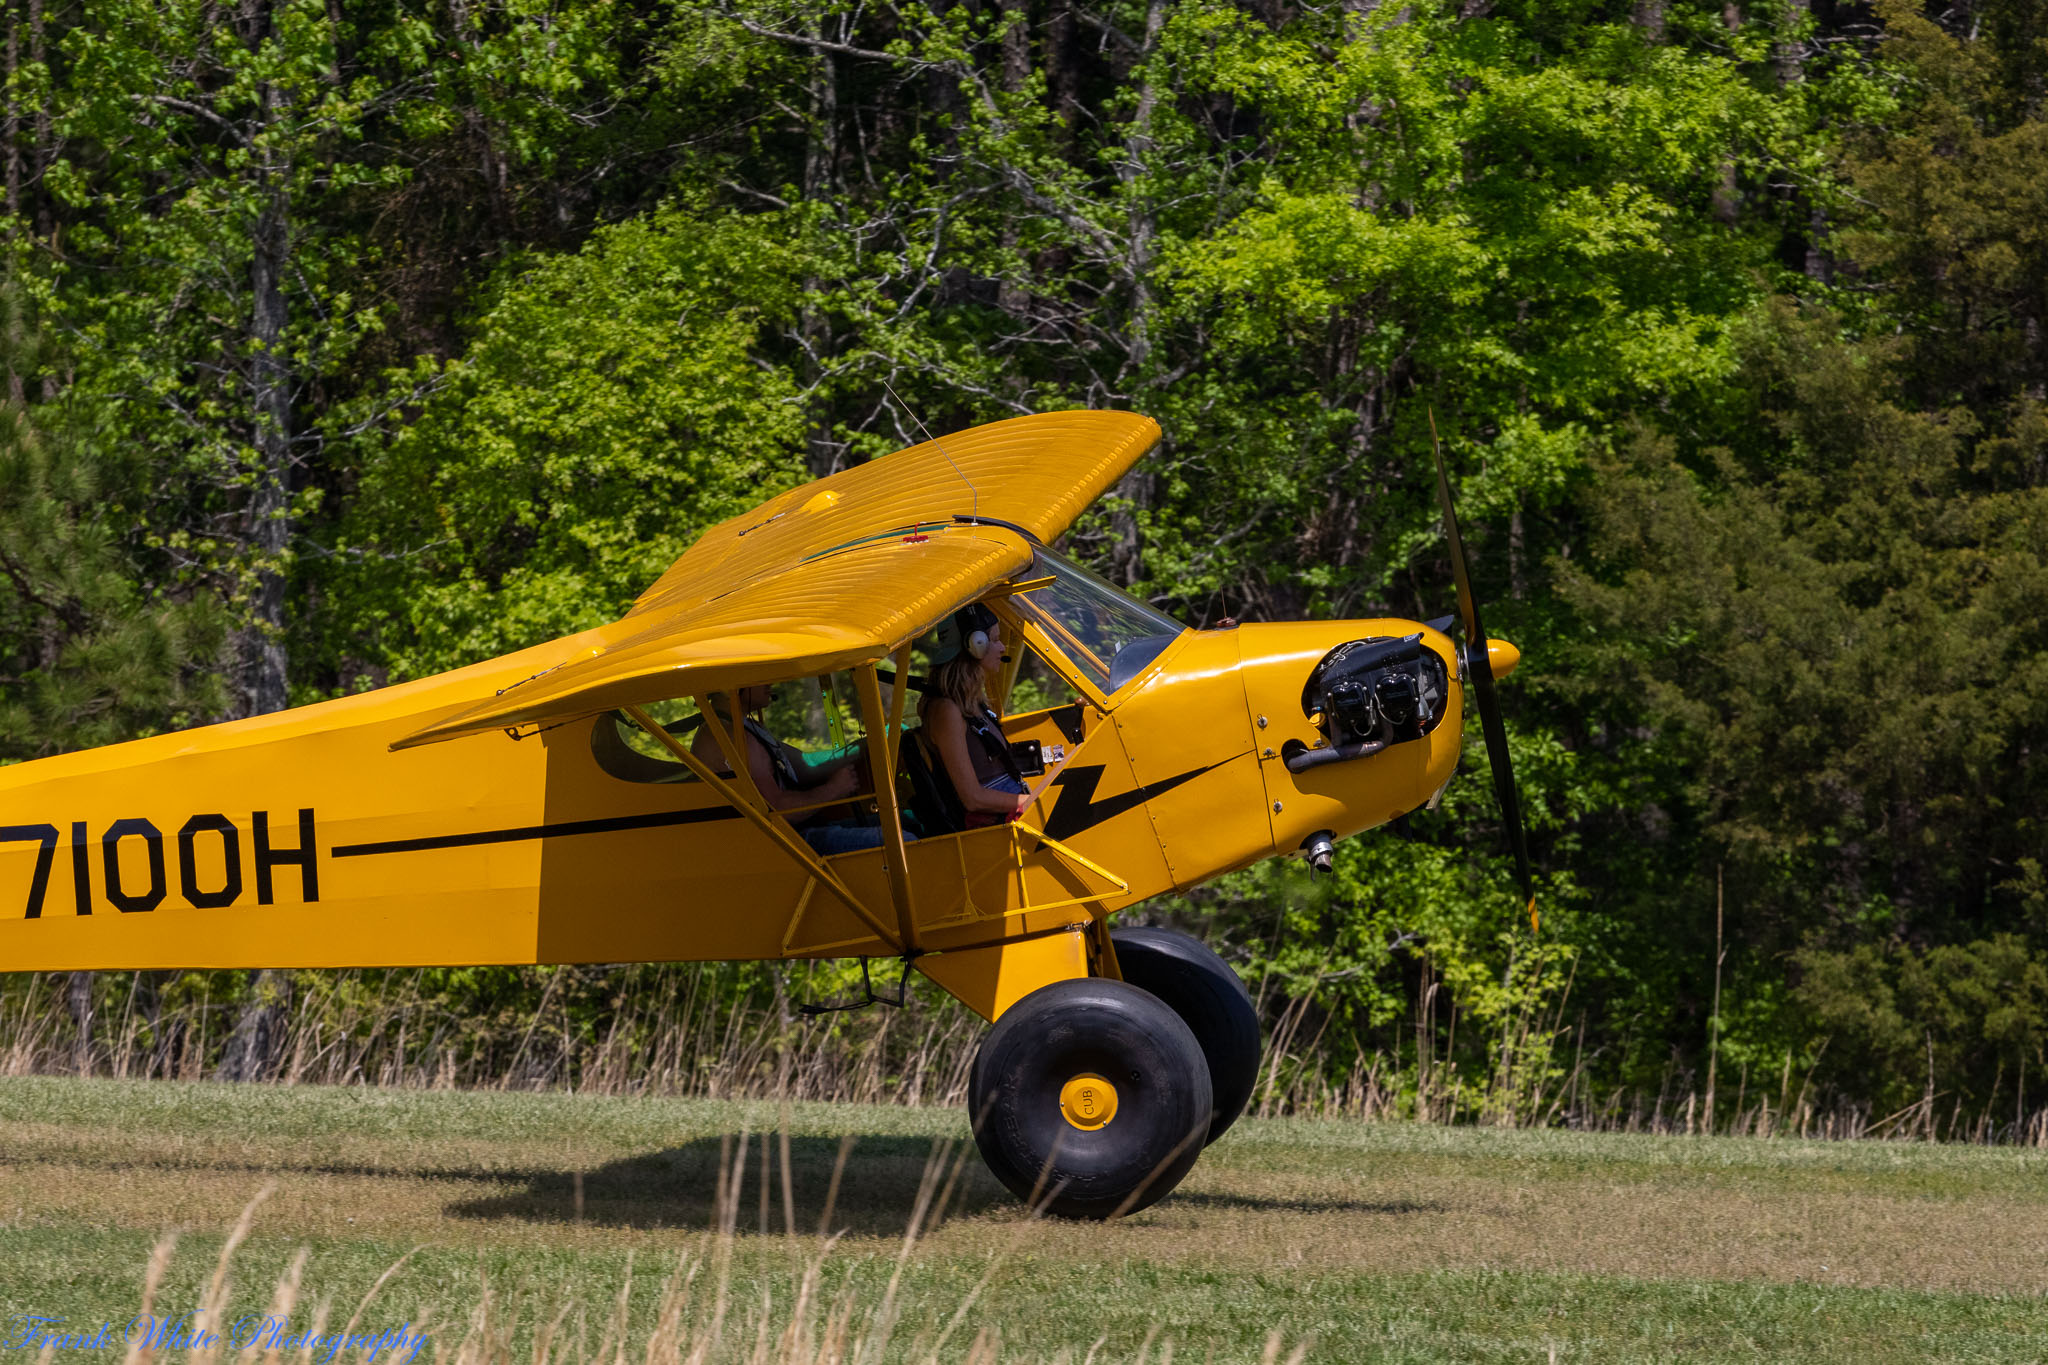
<point x="355" y="343"/>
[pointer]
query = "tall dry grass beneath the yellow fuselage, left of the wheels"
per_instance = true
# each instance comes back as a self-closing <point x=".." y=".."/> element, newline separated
<point x="660" y="1030"/>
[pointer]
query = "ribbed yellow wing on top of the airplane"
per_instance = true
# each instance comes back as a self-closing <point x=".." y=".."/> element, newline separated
<point x="835" y="574"/>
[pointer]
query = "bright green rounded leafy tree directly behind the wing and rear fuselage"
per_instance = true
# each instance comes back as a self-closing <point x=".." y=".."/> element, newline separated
<point x="607" y="412"/>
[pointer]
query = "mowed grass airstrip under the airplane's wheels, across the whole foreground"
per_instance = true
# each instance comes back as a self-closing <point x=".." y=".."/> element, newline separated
<point x="1371" y="1241"/>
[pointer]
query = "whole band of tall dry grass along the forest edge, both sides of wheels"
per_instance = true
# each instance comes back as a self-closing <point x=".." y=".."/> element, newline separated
<point x="687" y="1030"/>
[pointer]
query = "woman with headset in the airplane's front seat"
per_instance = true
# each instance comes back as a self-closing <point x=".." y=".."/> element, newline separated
<point x="968" y="654"/>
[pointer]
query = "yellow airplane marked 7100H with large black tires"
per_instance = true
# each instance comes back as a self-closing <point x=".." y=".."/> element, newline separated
<point x="536" y="809"/>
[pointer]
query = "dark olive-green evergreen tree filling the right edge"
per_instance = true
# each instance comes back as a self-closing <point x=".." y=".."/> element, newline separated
<point x="1820" y="607"/>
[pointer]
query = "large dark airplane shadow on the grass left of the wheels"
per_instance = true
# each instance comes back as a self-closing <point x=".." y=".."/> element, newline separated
<point x="677" y="1188"/>
